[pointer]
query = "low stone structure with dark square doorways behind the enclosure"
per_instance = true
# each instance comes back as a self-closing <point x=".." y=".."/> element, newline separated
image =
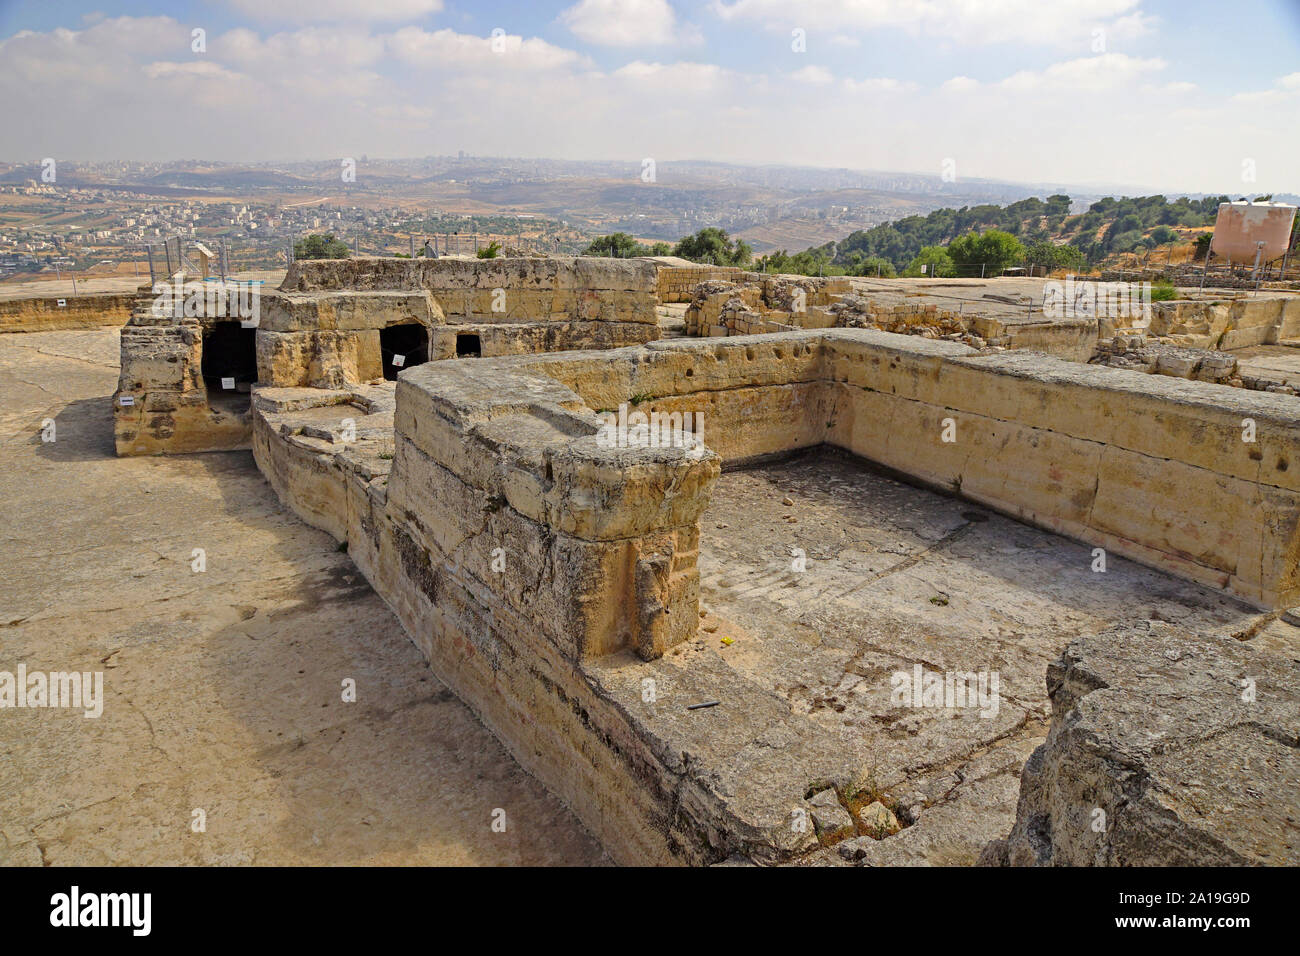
<point x="324" y="330"/>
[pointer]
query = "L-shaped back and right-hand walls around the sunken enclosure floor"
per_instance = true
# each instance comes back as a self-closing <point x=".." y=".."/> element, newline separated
<point x="1149" y="468"/>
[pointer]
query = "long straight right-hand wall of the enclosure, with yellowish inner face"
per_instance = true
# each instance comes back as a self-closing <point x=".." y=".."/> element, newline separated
<point x="1149" y="468"/>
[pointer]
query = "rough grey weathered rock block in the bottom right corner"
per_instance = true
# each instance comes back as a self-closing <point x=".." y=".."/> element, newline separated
<point x="1168" y="749"/>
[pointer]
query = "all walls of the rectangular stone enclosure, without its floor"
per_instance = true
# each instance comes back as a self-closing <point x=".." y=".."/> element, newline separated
<point x="532" y="552"/>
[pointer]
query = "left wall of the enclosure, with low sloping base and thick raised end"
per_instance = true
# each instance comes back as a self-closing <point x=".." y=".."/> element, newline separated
<point x="515" y="550"/>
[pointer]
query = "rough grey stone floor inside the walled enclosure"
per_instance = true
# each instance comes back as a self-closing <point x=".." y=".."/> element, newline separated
<point x="898" y="577"/>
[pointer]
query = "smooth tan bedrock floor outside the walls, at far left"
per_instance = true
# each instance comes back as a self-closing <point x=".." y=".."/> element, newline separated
<point x="223" y="687"/>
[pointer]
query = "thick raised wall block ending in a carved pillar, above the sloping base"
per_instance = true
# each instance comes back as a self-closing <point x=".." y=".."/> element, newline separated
<point x="603" y="542"/>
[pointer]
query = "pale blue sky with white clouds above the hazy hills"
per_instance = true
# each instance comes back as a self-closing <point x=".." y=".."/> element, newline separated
<point x="1160" y="94"/>
